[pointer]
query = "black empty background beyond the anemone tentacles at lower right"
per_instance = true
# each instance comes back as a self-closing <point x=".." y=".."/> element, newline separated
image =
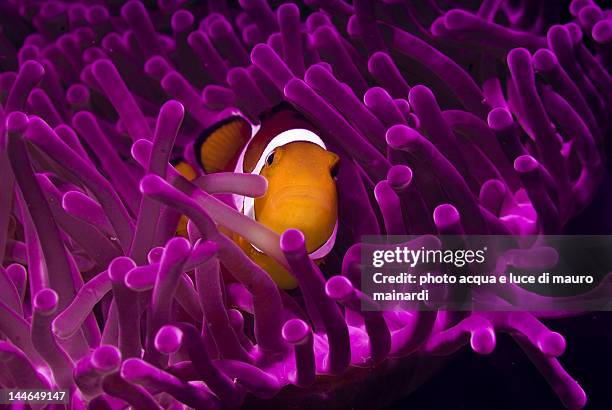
<point x="506" y="379"/>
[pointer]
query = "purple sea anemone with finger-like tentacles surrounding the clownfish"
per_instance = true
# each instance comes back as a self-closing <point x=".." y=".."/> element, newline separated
<point x="487" y="120"/>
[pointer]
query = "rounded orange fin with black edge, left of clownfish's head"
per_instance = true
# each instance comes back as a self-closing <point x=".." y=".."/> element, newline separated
<point x="218" y="147"/>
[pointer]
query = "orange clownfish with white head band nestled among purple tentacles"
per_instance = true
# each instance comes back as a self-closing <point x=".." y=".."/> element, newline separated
<point x="286" y="149"/>
